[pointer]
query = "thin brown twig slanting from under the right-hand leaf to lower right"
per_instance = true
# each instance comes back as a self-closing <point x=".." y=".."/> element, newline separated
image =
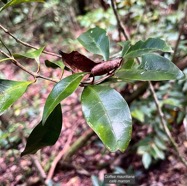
<point x="164" y="124"/>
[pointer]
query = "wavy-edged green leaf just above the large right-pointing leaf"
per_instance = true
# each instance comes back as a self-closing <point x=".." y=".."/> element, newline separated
<point x="148" y="46"/>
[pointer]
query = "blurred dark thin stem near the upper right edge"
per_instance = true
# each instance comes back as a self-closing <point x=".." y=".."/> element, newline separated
<point x="184" y="20"/>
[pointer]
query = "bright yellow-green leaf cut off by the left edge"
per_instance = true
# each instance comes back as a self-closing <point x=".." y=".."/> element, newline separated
<point x="11" y="91"/>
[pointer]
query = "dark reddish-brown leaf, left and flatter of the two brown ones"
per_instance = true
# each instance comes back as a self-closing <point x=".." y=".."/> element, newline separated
<point x="77" y="62"/>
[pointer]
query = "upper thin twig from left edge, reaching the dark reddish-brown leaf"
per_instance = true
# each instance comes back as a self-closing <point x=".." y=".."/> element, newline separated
<point x="27" y="44"/>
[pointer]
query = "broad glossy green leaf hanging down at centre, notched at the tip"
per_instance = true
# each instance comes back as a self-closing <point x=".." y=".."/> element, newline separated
<point x="107" y="113"/>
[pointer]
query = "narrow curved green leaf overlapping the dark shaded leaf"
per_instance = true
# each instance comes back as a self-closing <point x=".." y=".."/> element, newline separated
<point x="61" y="90"/>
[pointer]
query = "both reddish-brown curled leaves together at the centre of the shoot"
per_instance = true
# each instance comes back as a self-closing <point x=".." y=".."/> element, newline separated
<point x="80" y="63"/>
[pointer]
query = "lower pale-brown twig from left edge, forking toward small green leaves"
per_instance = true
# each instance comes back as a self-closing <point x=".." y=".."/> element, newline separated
<point x="35" y="75"/>
